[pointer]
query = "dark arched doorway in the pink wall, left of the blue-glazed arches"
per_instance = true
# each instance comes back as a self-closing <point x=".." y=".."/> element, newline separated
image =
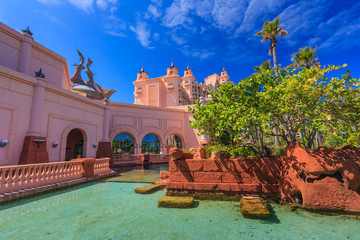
<point x="74" y="145"/>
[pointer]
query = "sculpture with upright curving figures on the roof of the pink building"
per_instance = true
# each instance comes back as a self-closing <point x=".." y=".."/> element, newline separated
<point x="92" y="90"/>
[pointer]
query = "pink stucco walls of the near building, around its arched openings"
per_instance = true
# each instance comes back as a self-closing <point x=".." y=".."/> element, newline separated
<point x="60" y="110"/>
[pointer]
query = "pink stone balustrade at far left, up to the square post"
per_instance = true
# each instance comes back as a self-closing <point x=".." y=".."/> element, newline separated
<point x="13" y="178"/>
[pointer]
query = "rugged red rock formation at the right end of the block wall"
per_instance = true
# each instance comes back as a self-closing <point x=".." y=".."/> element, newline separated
<point x="321" y="178"/>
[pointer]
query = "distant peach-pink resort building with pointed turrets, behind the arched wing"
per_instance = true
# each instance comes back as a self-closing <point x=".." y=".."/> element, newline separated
<point x="172" y="90"/>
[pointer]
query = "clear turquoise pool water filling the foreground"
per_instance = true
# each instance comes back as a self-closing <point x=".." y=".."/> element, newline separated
<point x="112" y="210"/>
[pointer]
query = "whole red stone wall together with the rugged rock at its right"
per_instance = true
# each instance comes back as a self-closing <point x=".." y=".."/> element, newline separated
<point x="320" y="179"/>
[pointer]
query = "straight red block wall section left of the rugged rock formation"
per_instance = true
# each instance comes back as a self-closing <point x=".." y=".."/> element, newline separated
<point x="243" y="176"/>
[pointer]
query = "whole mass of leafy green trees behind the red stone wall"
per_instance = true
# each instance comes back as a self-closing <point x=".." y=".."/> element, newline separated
<point x="306" y="102"/>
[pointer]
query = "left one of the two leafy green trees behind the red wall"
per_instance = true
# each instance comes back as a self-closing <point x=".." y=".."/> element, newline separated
<point x="234" y="116"/>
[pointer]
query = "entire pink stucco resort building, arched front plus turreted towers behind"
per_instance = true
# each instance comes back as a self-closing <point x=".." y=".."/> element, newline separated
<point x="44" y="121"/>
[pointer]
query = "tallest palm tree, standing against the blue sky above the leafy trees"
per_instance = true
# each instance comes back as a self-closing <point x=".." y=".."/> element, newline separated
<point x="272" y="30"/>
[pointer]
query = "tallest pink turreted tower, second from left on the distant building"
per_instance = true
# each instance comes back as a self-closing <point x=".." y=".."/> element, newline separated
<point x="172" y="82"/>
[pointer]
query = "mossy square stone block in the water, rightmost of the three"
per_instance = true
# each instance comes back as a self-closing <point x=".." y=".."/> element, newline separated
<point x="254" y="207"/>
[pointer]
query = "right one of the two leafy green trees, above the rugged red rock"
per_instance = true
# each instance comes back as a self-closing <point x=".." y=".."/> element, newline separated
<point x="307" y="101"/>
